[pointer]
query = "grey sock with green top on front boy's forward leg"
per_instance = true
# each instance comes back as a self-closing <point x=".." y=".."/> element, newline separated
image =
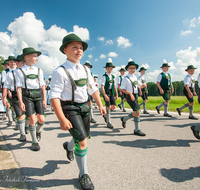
<point x="81" y="159"/>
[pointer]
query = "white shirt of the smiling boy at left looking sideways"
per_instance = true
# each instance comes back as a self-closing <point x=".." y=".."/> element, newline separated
<point x="31" y="83"/>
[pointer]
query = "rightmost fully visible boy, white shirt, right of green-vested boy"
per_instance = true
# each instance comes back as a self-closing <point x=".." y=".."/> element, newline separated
<point x="189" y="91"/>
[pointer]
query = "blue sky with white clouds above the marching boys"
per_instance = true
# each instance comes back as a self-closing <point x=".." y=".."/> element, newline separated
<point x="147" y="31"/>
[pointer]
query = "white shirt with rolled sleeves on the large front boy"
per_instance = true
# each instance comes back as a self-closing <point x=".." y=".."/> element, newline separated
<point x="61" y="86"/>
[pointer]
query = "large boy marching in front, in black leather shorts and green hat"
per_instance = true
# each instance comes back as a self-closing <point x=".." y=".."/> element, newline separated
<point x="71" y="82"/>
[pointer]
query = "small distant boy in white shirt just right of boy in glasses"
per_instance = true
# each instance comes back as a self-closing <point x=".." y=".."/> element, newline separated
<point x="143" y="90"/>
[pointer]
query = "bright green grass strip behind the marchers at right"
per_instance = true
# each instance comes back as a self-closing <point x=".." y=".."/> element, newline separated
<point x="153" y="101"/>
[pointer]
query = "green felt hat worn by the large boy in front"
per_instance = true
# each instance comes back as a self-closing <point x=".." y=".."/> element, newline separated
<point x="72" y="38"/>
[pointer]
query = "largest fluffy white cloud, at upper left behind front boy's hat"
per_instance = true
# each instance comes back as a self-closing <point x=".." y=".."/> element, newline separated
<point x="28" y="31"/>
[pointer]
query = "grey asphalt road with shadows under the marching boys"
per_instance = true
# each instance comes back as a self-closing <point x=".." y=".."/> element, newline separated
<point x="168" y="157"/>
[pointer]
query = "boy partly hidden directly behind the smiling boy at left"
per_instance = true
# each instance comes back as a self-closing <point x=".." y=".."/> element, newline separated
<point x="10" y="84"/>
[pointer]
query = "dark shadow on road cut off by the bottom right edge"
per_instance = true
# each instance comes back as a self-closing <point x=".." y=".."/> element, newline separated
<point x="180" y="175"/>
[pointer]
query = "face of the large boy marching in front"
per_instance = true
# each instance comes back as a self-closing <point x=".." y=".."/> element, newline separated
<point x="74" y="51"/>
